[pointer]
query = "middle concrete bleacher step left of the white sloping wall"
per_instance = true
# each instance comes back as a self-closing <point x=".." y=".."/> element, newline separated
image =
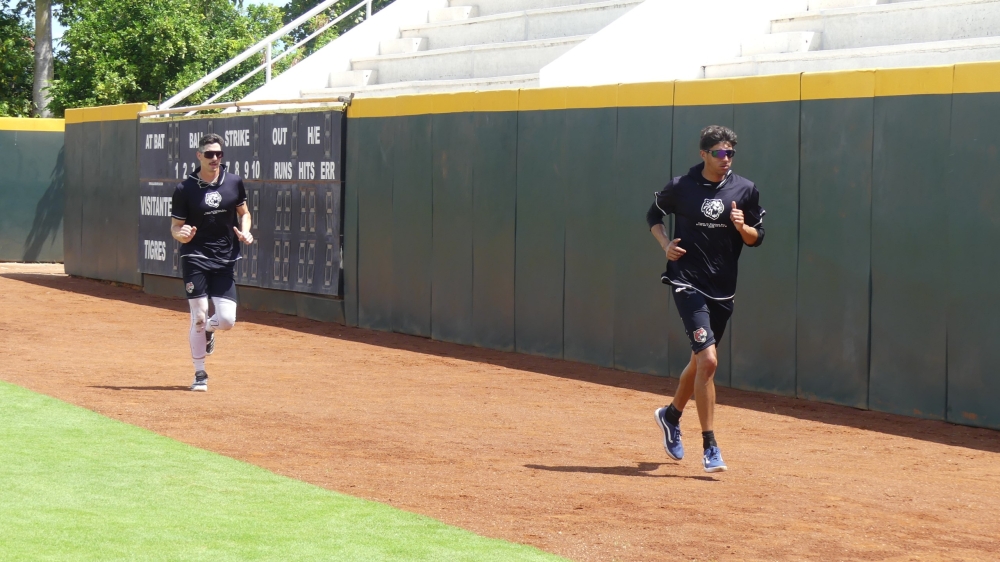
<point x="476" y="61"/>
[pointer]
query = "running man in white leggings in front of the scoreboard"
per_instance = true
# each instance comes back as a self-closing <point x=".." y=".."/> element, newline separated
<point x="209" y="218"/>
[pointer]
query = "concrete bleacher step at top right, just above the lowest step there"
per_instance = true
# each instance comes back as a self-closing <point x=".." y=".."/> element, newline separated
<point x="897" y="23"/>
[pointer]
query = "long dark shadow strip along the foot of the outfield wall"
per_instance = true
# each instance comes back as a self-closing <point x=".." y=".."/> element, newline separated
<point x="659" y="388"/>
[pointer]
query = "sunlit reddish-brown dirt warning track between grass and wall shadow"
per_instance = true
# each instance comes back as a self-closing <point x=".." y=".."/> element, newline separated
<point x="560" y="455"/>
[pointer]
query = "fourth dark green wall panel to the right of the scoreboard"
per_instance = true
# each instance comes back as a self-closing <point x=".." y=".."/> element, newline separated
<point x="494" y="201"/>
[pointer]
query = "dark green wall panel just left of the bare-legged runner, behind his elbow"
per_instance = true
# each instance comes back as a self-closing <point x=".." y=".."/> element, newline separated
<point x="641" y="168"/>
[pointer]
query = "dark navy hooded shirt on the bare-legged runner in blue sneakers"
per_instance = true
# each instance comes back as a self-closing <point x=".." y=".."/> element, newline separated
<point x="701" y="209"/>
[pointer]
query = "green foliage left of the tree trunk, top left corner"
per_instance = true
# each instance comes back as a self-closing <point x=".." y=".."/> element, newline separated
<point x="16" y="64"/>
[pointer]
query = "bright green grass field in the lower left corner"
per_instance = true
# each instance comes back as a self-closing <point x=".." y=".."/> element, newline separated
<point x="75" y="485"/>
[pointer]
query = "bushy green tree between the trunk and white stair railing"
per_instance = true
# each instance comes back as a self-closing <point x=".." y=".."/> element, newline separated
<point x="125" y="51"/>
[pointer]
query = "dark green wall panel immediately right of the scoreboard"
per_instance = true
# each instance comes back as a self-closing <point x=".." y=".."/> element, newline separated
<point x="373" y="181"/>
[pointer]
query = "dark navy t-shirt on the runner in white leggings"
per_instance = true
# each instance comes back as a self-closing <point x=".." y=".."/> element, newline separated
<point x="211" y="208"/>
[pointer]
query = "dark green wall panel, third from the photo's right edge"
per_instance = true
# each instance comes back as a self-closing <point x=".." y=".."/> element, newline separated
<point x="834" y="251"/>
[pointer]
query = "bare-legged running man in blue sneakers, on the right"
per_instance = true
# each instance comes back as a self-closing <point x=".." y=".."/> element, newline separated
<point x="716" y="213"/>
